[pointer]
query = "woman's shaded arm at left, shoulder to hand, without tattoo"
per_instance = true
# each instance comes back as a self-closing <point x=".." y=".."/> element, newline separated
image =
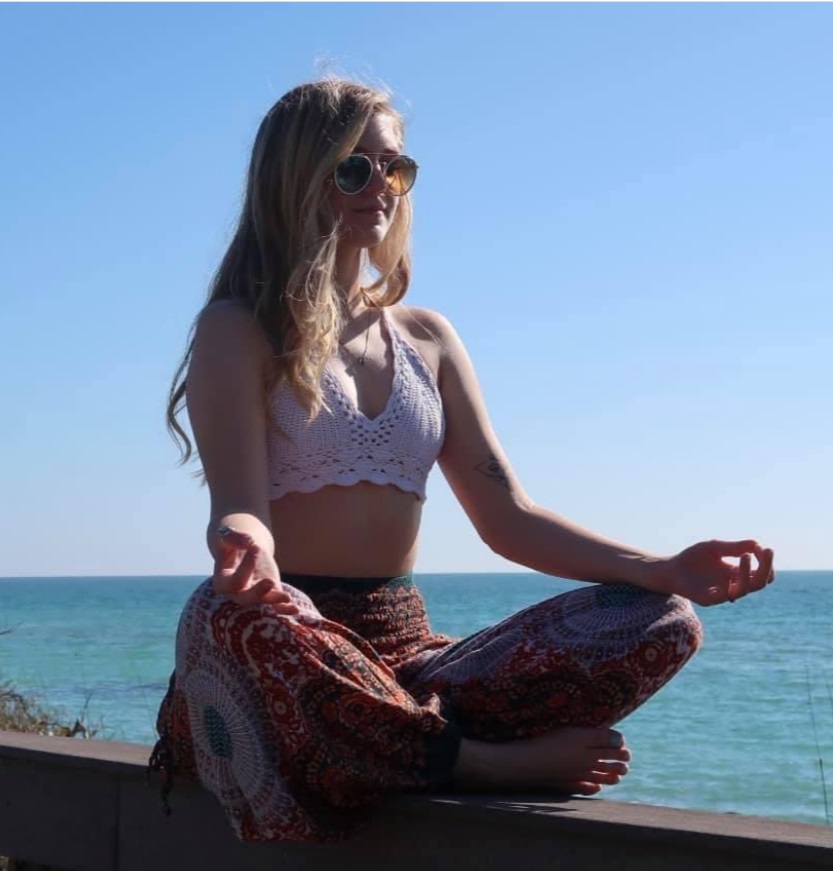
<point x="225" y="401"/>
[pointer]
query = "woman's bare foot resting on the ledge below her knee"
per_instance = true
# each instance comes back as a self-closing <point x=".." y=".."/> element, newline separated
<point x="572" y="759"/>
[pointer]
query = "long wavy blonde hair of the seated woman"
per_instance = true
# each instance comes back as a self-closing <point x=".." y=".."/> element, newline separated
<point x="281" y="261"/>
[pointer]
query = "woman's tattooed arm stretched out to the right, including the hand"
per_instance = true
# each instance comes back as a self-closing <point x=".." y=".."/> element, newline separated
<point x="512" y="525"/>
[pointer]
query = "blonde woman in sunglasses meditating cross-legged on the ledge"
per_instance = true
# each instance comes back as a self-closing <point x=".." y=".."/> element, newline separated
<point x="308" y="682"/>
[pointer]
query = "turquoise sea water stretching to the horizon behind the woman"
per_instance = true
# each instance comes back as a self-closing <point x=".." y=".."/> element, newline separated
<point x="733" y="732"/>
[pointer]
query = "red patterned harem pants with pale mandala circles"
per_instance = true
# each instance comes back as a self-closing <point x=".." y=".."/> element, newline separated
<point x="298" y="725"/>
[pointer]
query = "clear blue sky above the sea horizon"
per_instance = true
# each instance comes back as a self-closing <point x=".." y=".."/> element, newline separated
<point x="624" y="210"/>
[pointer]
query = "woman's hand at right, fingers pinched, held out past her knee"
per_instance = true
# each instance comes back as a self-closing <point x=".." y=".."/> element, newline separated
<point x="702" y="574"/>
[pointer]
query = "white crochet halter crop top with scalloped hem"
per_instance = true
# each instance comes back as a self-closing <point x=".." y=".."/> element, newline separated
<point x="343" y="446"/>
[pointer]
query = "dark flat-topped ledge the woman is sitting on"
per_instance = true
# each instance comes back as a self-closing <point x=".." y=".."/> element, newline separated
<point x="78" y="804"/>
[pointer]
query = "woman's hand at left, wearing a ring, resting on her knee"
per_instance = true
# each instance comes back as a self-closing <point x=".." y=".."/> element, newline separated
<point x="247" y="574"/>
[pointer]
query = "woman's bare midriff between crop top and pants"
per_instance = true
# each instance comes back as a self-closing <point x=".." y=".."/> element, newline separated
<point x="362" y="531"/>
